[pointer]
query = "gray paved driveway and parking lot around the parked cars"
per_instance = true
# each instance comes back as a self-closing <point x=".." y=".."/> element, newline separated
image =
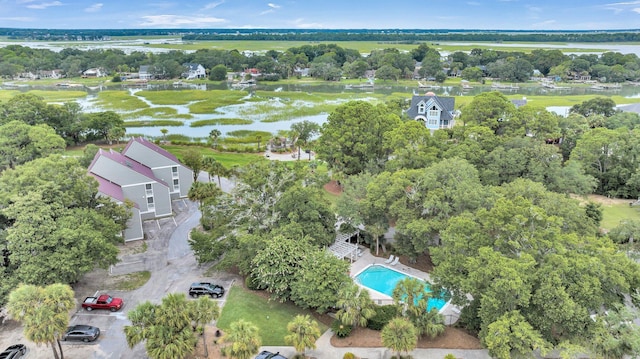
<point x="173" y="270"/>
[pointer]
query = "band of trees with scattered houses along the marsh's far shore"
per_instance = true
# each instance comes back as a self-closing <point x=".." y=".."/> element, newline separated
<point x="331" y="62"/>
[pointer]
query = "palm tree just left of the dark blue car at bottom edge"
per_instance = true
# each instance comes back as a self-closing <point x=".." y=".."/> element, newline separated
<point x="243" y="338"/>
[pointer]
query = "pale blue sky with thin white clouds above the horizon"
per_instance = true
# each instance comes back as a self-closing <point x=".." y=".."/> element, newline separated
<point x="322" y="14"/>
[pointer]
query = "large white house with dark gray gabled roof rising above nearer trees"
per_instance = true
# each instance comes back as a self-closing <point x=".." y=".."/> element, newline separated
<point x="435" y="112"/>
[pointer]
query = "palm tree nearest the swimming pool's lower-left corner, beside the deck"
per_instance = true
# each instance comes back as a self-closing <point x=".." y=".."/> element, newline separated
<point x="356" y="306"/>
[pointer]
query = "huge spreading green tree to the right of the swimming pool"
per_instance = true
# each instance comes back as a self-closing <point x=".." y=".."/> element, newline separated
<point x="529" y="254"/>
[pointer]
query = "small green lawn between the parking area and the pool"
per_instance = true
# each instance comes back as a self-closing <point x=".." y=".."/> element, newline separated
<point x="271" y="317"/>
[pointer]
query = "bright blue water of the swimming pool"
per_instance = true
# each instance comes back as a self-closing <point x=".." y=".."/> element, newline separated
<point x="383" y="279"/>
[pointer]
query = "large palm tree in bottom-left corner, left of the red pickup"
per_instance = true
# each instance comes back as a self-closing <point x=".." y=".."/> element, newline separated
<point x="44" y="313"/>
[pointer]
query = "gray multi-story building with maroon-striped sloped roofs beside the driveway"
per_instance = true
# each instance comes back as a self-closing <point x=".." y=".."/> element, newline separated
<point x="144" y="174"/>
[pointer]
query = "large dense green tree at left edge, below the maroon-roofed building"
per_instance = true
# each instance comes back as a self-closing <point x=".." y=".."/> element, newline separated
<point x="56" y="229"/>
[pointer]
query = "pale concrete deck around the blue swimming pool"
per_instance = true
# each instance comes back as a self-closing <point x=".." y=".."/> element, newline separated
<point x="450" y="311"/>
